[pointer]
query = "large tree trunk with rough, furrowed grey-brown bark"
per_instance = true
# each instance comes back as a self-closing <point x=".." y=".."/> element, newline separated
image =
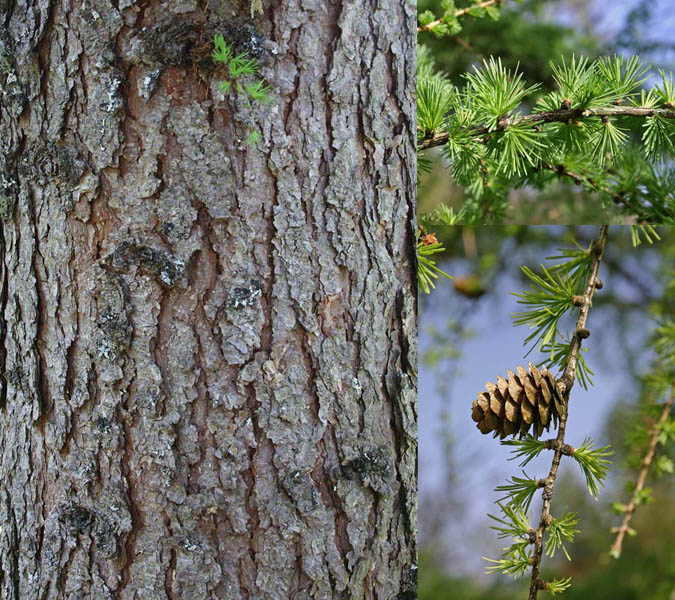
<point x="209" y="343"/>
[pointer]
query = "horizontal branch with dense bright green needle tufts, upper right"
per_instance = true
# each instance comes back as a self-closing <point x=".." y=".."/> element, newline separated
<point x="598" y="128"/>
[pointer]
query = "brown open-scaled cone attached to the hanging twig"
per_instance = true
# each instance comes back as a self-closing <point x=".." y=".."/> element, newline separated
<point x="524" y="401"/>
